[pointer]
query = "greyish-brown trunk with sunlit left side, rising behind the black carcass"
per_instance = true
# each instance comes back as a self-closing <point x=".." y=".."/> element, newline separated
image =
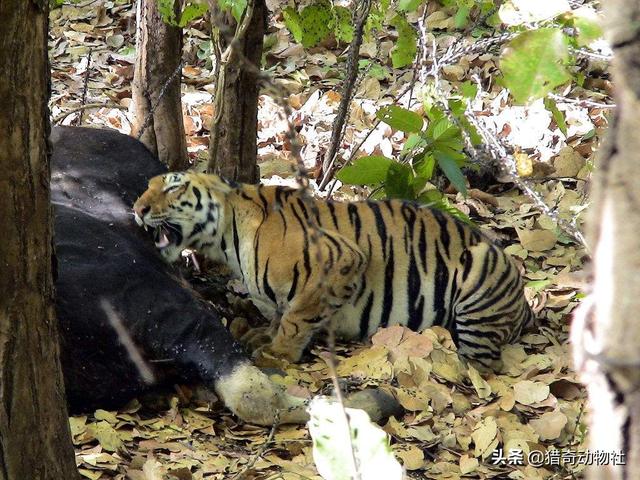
<point x="155" y="84"/>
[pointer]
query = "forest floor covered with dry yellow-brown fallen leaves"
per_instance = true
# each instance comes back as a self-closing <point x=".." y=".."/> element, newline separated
<point x="455" y="418"/>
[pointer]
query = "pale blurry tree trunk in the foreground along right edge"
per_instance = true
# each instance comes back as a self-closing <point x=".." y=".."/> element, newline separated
<point x="606" y="331"/>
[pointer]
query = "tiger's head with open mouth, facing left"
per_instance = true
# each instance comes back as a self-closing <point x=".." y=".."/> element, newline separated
<point x="185" y="210"/>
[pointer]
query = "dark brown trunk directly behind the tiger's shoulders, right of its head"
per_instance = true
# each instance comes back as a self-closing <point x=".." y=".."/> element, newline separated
<point x="233" y="146"/>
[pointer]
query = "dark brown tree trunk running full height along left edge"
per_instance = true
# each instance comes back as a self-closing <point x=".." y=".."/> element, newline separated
<point x="35" y="441"/>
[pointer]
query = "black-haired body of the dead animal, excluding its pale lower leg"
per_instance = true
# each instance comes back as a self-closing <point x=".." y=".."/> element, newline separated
<point x="102" y="254"/>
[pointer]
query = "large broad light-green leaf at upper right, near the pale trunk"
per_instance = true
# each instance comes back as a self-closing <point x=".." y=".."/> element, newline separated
<point x="534" y="63"/>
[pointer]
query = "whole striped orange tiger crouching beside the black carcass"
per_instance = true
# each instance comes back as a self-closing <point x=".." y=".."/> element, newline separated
<point x="358" y="265"/>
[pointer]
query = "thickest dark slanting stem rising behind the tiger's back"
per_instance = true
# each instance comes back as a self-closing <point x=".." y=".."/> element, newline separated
<point x="361" y="14"/>
